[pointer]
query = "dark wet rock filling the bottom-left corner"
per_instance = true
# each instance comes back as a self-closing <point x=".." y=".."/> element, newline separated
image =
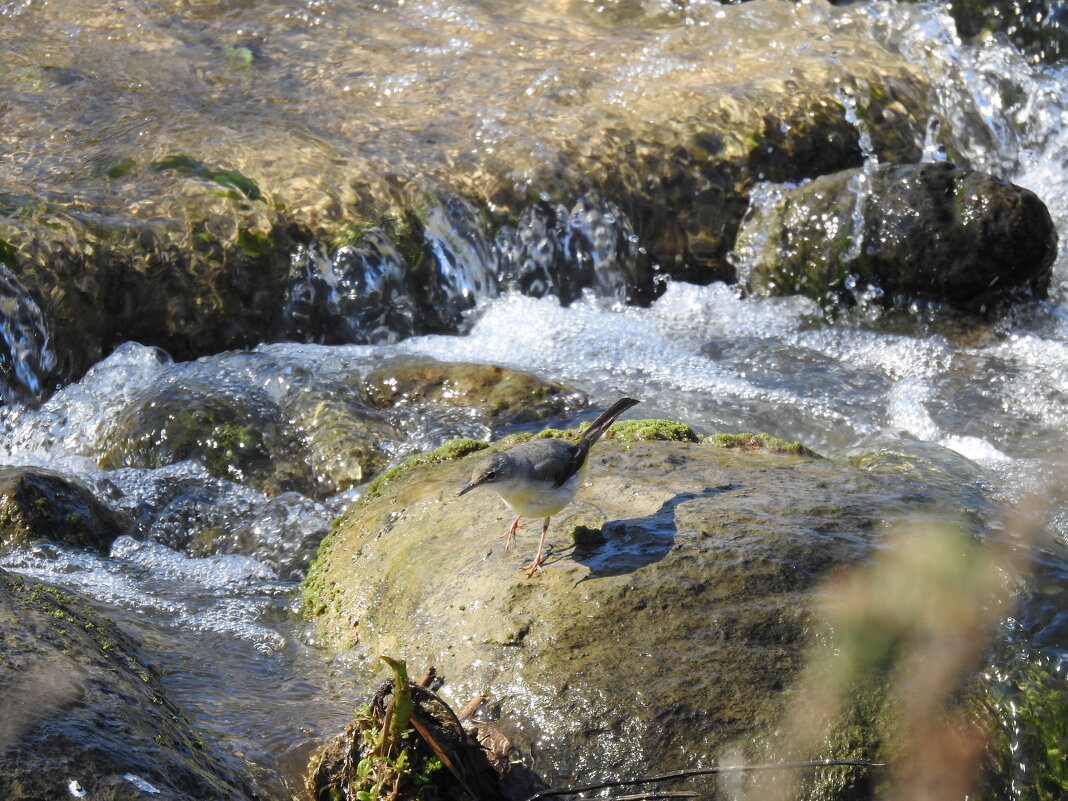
<point x="85" y="718"/>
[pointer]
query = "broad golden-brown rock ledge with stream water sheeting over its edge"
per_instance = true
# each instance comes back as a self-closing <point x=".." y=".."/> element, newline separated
<point x="560" y="168"/>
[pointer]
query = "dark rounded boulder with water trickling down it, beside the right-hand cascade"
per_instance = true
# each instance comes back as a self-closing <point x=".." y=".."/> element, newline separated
<point x="921" y="232"/>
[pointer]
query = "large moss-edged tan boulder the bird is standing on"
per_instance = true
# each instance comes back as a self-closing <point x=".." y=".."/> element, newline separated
<point x="669" y="617"/>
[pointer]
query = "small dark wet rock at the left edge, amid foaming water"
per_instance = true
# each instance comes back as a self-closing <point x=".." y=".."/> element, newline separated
<point x="41" y="505"/>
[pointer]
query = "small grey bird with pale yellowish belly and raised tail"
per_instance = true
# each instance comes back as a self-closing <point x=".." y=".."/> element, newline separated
<point x="541" y="477"/>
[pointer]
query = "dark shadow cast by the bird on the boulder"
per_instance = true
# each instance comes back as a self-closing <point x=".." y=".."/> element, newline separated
<point x="627" y="545"/>
